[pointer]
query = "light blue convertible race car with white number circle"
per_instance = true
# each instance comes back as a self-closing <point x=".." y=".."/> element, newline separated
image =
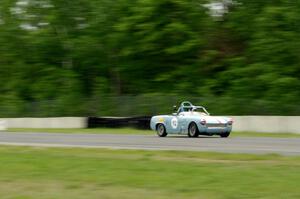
<point x="191" y="120"/>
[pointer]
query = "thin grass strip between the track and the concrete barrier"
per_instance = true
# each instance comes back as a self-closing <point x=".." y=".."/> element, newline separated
<point x="141" y="132"/>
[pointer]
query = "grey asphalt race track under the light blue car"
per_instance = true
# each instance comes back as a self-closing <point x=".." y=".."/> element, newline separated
<point x="255" y="145"/>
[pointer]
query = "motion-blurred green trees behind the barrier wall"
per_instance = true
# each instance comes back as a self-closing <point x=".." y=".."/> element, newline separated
<point x="139" y="57"/>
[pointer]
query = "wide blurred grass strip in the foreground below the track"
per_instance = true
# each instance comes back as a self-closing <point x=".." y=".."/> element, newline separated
<point x="50" y="173"/>
